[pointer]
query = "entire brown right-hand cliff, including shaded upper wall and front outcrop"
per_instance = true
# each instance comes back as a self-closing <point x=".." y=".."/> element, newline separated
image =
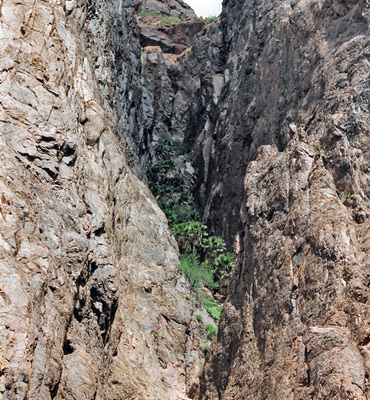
<point x="294" y="122"/>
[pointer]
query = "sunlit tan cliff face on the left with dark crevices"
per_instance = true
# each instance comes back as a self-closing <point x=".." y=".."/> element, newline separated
<point x="91" y="304"/>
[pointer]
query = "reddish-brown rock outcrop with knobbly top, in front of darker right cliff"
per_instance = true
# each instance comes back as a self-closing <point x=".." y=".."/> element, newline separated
<point x="292" y="326"/>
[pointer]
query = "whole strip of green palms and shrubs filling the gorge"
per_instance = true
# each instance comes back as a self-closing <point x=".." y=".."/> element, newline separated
<point x="203" y="258"/>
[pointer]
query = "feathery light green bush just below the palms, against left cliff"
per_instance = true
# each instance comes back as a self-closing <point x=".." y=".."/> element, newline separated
<point x="197" y="274"/>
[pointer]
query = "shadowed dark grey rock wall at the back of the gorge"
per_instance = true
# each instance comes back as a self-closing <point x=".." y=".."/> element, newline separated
<point x="182" y="88"/>
